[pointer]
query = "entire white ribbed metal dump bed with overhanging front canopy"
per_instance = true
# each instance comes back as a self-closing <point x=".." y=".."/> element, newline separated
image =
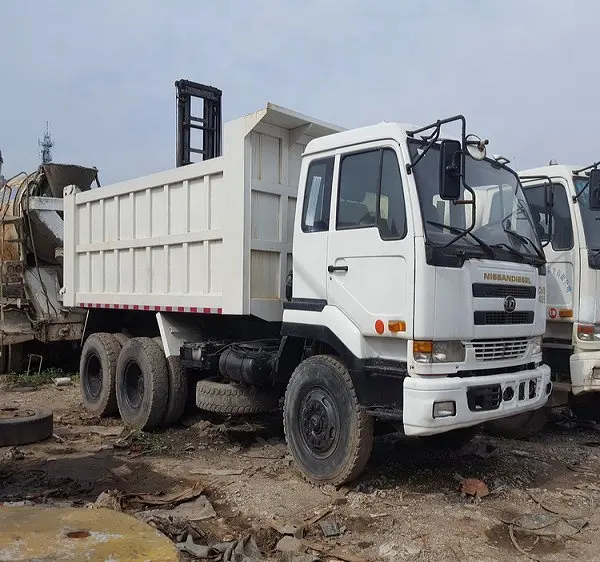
<point x="212" y="237"/>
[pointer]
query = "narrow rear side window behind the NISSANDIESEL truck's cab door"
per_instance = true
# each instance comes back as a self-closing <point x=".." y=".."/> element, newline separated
<point x="317" y="196"/>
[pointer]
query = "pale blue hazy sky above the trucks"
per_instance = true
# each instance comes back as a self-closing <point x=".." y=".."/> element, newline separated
<point x="103" y="72"/>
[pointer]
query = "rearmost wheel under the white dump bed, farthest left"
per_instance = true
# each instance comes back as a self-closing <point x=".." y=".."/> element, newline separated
<point x="97" y="371"/>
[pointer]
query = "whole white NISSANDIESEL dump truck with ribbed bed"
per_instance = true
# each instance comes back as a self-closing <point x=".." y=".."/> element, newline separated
<point x="352" y="275"/>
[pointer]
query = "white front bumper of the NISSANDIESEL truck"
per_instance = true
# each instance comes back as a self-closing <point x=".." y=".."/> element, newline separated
<point x="477" y="399"/>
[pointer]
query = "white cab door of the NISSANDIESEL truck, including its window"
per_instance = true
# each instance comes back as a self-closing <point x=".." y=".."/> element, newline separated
<point x="370" y="252"/>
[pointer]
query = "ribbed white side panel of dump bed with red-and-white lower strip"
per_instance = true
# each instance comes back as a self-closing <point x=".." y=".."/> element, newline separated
<point x="152" y="243"/>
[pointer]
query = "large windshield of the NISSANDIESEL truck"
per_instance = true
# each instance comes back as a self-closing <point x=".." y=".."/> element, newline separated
<point x="503" y="220"/>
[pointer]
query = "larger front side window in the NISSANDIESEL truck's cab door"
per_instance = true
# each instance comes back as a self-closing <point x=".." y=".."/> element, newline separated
<point x="370" y="193"/>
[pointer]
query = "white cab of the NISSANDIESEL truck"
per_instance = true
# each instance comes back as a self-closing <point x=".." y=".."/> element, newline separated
<point x="434" y="301"/>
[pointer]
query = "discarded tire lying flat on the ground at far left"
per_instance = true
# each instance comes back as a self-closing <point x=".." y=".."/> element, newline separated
<point x="19" y="426"/>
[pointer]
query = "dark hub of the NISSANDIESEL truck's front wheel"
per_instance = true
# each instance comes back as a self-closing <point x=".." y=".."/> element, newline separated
<point x="319" y="422"/>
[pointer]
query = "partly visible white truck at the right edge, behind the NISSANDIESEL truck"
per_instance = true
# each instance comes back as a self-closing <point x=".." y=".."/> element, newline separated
<point x="571" y="239"/>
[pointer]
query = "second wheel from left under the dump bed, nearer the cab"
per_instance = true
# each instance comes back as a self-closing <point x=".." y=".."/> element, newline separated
<point x="142" y="383"/>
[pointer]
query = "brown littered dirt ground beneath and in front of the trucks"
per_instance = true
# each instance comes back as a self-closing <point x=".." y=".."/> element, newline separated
<point x="407" y="505"/>
